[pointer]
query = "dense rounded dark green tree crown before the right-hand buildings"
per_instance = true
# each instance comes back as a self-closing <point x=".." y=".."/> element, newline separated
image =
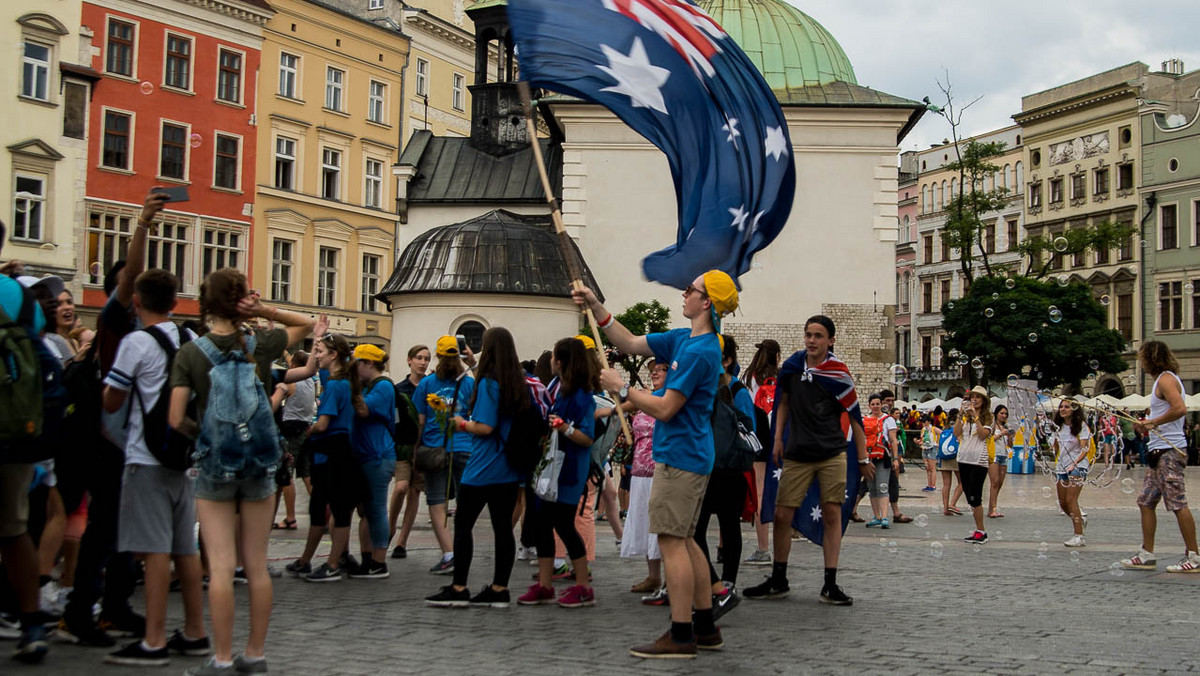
<point x="1023" y="337"/>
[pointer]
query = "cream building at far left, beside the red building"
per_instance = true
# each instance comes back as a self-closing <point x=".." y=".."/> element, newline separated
<point x="49" y="85"/>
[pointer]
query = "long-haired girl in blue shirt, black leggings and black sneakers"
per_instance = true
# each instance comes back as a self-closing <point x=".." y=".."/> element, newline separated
<point x="501" y="392"/>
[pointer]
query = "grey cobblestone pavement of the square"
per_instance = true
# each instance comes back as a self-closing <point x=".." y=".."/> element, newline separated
<point x="998" y="608"/>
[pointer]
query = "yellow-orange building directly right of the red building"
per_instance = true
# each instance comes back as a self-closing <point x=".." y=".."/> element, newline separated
<point x="332" y="124"/>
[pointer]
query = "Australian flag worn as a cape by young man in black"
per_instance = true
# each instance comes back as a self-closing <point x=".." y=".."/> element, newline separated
<point x="835" y="376"/>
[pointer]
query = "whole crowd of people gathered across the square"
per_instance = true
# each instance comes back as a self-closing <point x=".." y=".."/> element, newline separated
<point x="164" y="452"/>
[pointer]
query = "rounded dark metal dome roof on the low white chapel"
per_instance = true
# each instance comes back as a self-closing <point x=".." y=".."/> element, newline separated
<point x="497" y="253"/>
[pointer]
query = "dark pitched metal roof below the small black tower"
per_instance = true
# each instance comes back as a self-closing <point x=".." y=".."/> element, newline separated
<point x="452" y="170"/>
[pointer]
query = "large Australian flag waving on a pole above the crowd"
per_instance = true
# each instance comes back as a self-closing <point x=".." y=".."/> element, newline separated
<point x="670" y="73"/>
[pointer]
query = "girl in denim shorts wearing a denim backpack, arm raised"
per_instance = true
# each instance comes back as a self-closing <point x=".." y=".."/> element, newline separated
<point x="236" y="513"/>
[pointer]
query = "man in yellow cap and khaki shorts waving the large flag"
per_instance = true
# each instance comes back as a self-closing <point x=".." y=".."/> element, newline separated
<point x="683" y="448"/>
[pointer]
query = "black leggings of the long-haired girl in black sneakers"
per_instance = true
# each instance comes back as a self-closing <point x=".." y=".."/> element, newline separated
<point x="501" y="501"/>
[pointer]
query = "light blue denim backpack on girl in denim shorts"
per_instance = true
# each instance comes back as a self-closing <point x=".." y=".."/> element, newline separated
<point x="238" y="435"/>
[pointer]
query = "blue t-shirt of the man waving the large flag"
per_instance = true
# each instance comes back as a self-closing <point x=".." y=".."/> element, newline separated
<point x="686" y="442"/>
